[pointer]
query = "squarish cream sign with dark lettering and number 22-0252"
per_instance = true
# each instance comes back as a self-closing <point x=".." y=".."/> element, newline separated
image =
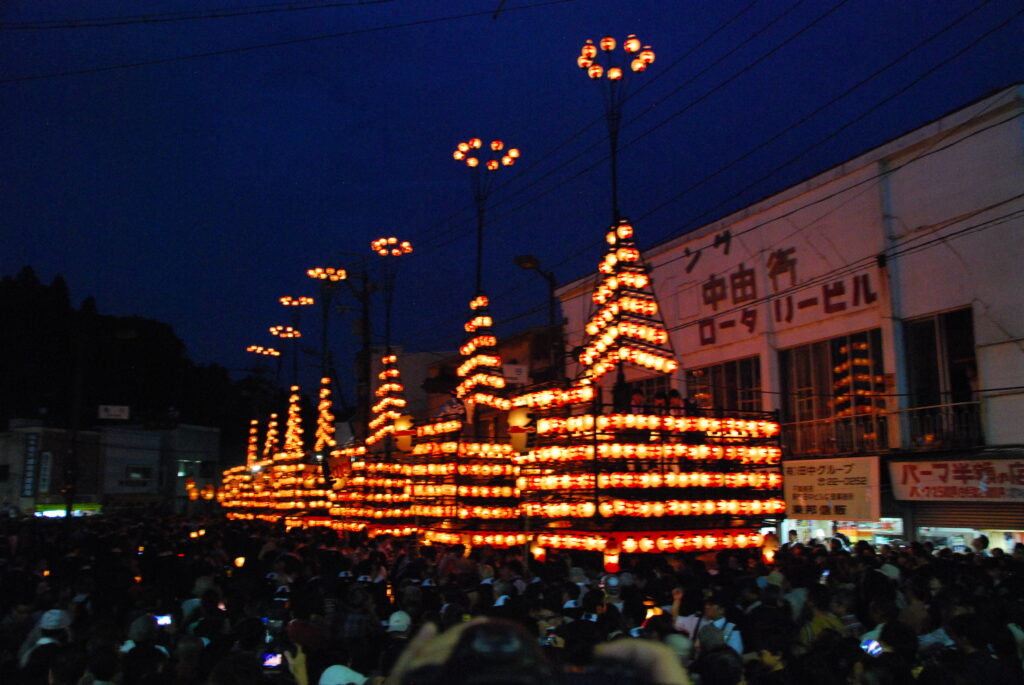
<point x="834" y="489"/>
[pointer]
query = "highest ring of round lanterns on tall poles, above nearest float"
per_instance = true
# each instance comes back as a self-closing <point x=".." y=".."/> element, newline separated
<point x="613" y="73"/>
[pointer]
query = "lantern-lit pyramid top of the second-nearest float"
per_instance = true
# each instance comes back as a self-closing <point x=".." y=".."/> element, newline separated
<point x="484" y="379"/>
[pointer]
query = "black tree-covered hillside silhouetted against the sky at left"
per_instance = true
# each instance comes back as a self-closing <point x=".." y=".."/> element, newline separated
<point x="59" y="363"/>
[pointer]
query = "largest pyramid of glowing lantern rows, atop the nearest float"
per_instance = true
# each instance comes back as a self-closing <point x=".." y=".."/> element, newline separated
<point x="627" y="326"/>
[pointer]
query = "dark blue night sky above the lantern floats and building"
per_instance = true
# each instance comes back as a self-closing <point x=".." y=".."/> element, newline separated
<point x="199" y="190"/>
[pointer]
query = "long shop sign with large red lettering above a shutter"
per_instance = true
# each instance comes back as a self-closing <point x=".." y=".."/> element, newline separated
<point x="992" y="481"/>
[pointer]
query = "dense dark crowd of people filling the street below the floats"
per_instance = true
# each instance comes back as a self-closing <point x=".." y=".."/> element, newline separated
<point x="168" y="601"/>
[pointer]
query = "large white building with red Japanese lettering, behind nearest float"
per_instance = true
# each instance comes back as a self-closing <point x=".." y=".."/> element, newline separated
<point x="877" y="308"/>
